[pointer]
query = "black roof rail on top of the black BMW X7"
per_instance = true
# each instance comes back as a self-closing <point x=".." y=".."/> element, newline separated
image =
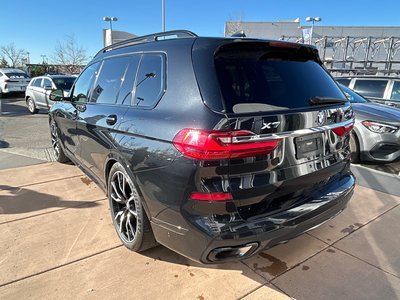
<point x="150" y="38"/>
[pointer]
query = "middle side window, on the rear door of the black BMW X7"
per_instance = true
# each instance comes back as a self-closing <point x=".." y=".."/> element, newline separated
<point x="109" y="80"/>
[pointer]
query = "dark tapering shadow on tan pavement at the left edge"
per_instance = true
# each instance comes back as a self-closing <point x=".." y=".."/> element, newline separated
<point x="23" y="200"/>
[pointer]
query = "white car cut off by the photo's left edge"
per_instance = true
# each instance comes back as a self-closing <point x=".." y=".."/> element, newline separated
<point x="13" y="81"/>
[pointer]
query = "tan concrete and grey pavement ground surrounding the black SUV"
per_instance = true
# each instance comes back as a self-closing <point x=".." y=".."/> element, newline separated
<point x="57" y="239"/>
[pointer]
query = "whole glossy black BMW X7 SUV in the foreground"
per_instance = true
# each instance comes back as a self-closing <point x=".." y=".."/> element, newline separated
<point x="216" y="148"/>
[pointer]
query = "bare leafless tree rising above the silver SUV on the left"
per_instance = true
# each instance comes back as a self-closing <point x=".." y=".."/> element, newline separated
<point x="70" y="54"/>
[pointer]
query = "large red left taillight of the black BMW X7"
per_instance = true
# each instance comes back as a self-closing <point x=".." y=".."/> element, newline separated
<point x="215" y="144"/>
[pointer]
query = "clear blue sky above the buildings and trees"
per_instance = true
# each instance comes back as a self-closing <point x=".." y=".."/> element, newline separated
<point x="37" y="26"/>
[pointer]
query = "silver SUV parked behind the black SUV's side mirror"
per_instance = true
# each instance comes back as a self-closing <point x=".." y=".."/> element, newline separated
<point x="38" y="91"/>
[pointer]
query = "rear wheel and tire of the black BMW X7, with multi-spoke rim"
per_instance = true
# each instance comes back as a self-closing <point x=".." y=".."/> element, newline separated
<point x="129" y="218"/>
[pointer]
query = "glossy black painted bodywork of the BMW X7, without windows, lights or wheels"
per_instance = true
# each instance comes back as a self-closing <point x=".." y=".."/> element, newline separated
<point x="275" y="196"/>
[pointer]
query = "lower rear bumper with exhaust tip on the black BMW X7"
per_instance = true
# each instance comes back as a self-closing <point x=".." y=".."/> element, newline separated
<point x="254" y="235"/>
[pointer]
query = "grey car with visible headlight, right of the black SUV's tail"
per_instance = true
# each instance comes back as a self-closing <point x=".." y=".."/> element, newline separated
<point x="376" y="134"/>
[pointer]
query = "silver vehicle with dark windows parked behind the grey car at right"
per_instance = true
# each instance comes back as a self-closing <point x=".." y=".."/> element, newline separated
<point x="384" y="89"/>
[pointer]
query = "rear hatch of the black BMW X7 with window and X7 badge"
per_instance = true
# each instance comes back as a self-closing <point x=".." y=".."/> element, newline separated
<point x="279" y="94"/>
